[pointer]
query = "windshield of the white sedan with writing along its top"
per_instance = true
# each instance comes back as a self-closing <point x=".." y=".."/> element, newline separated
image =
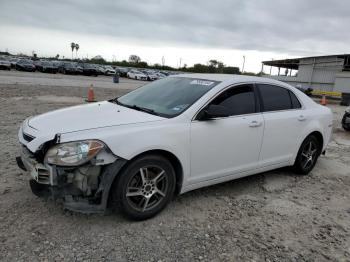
<point x="167" y="97"/>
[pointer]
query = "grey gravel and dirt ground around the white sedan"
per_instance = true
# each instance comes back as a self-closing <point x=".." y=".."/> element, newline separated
<point x="276" y="216"/>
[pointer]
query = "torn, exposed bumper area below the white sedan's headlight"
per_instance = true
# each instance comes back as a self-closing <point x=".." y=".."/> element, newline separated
<point x="84" y="188"/>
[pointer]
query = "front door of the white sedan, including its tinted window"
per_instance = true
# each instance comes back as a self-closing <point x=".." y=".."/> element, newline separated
<point x="228" y="145"/>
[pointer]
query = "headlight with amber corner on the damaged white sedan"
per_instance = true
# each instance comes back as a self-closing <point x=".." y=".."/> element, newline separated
<point x="73" y="153"/>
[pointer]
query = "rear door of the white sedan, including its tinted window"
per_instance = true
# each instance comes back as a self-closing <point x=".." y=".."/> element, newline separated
<point x="284" y="120"/>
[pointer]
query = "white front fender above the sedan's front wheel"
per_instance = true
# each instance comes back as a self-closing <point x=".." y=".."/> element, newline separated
<point x="131" y="140"/>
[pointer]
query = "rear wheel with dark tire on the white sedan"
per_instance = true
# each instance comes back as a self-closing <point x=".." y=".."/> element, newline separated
<point x="307" y="156"/>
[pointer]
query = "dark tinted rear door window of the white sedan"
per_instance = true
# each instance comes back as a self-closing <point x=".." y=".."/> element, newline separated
<point x="275" y="98"/>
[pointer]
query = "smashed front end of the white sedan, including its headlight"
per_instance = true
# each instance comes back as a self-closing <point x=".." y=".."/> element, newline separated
<point x="79" y="173"/>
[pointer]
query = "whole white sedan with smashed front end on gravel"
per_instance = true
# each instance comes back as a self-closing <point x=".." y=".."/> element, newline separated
<point x="183" y="132"/>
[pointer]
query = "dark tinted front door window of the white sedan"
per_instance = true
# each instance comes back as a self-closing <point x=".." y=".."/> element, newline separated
<point x="240" y="100"/>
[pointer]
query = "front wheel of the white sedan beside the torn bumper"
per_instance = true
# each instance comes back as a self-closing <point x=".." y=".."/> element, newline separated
<point x="145" y="187"/>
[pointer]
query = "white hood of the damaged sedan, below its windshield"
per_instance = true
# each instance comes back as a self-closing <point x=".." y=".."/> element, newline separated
<point x="91" y="116"/>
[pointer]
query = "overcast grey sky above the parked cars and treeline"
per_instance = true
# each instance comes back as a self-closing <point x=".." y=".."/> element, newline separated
<point x="181" y="31"/>
